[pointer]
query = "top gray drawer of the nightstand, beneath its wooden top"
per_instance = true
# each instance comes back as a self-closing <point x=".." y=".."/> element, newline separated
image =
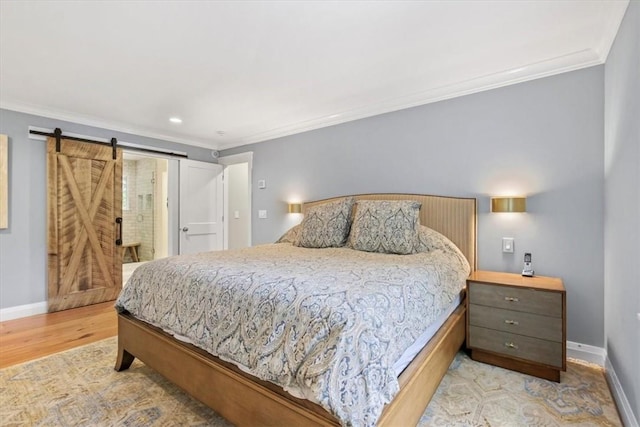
<point x="517" y="299"/>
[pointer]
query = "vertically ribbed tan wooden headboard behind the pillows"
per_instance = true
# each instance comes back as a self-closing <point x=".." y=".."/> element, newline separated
<point x="455" y="217"/>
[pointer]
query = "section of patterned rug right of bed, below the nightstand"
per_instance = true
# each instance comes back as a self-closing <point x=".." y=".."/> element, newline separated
<point x="476" y="394"/>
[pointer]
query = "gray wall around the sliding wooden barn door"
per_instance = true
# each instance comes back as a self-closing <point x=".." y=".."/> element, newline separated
<point x="23" y="248"/>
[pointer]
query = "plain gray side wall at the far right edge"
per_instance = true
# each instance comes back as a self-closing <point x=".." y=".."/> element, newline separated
<point x="622" y="205"/>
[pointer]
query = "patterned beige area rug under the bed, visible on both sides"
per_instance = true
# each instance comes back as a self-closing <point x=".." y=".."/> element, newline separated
<point x="80" y="388"/>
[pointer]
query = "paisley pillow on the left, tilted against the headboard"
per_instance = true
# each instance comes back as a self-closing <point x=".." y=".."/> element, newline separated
<point x="326" y="225"/>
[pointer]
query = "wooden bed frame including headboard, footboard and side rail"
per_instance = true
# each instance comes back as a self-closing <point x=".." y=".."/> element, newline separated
<point x="248" y="401"/>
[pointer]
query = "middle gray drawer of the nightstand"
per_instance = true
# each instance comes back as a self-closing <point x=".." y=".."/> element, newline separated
<point x="516" y="322"/>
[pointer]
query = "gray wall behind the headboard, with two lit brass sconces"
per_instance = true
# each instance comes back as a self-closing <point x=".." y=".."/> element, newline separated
<point x="542" y="138"/>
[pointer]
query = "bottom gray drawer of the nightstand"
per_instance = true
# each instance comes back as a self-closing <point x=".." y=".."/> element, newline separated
<point x="513" y="345"/>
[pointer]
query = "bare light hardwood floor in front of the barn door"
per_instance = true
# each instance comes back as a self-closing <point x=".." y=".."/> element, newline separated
<point x="33" y="337"/>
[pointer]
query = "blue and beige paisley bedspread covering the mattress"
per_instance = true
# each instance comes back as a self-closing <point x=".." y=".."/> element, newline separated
<point x="324" y="324"/>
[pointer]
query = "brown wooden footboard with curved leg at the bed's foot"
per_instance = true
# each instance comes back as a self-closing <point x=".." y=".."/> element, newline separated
<point x="239" y="397"/>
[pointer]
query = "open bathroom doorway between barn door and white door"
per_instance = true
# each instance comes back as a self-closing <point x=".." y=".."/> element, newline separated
<point x="145" y="213"/>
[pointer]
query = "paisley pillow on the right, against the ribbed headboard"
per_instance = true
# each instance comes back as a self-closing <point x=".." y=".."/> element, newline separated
<point x="387" y="226"/>
